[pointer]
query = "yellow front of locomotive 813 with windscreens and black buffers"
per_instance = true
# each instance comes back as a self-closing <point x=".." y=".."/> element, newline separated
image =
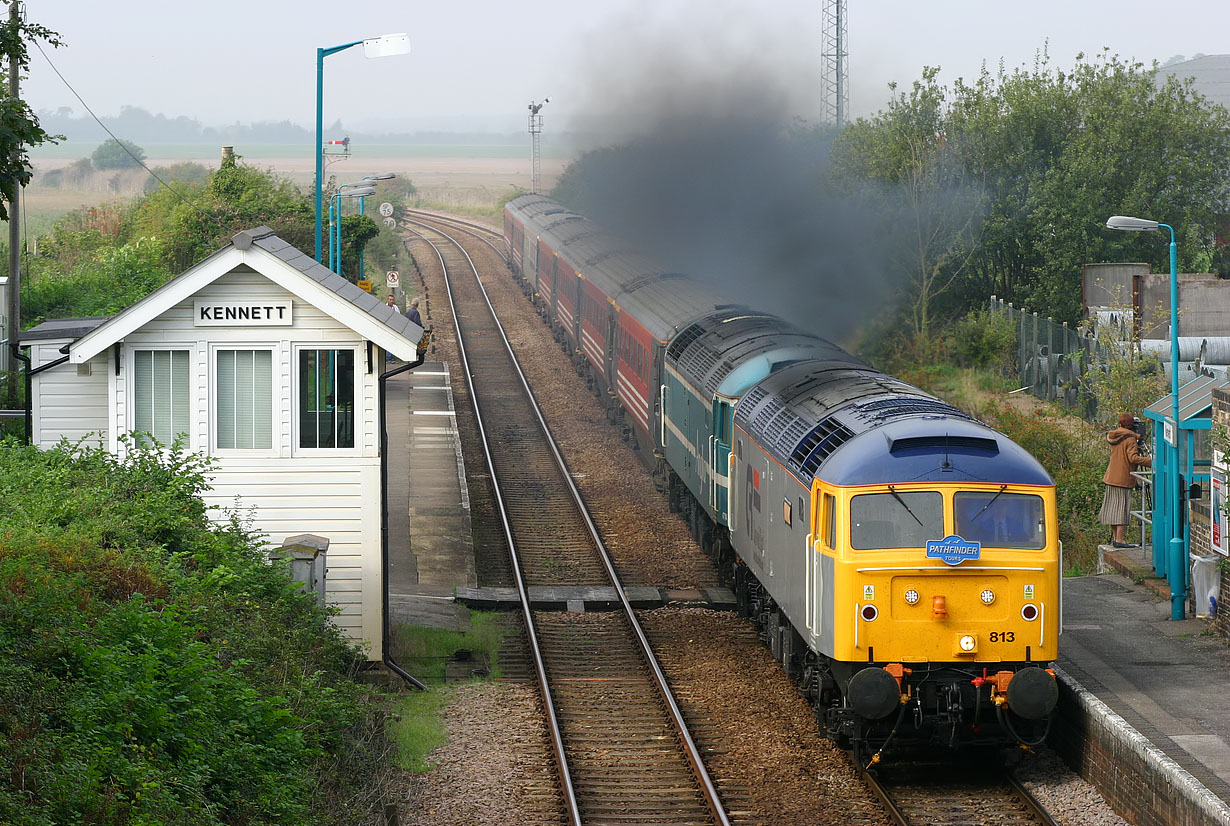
<point x="945" y="609"/>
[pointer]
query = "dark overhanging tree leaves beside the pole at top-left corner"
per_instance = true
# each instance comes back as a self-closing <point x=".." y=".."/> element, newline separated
<point x="19" y="126"/>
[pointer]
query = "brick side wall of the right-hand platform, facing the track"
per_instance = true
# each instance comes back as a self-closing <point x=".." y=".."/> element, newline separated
<point x="1142" y="784"/>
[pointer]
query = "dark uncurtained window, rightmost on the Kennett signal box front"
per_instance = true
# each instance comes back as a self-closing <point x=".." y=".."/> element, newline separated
<point x="327" y="399"/>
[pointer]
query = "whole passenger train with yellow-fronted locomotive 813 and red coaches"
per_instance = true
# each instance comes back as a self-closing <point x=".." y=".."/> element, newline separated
<point x="901" y="559"/>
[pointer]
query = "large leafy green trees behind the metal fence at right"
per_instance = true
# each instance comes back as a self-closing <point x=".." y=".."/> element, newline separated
<point x="1053" y="154"/>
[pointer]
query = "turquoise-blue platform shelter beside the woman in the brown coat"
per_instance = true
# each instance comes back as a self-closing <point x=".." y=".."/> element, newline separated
<point x="1184" y="460"/>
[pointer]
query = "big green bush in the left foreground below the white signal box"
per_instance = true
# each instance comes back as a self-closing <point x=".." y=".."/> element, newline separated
<point x="154" y="668"/>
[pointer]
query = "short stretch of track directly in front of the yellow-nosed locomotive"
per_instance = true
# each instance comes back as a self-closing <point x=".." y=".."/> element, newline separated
<point x="946" y="792"/>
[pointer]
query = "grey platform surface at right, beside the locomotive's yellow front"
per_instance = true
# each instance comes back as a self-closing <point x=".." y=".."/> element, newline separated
<point x="1165" y="679"/>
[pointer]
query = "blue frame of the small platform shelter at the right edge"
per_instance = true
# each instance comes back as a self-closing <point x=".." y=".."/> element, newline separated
<point x="1179" y="463"/>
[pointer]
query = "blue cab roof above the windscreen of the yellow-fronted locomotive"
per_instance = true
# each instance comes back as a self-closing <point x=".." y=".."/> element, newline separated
<point x="933" y="449"/>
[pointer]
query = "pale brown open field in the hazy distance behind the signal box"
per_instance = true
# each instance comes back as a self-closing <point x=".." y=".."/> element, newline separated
<point x="468" y="176"/>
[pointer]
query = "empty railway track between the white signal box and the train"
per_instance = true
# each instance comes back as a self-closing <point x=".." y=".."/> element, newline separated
<point x="623" y="750"/>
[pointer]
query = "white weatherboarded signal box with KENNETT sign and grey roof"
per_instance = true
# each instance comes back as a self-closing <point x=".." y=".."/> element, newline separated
<point x="266" y="362"/>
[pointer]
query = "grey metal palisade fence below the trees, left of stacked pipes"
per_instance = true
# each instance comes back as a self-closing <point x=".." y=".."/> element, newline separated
<point x="1052" y="358"/>
